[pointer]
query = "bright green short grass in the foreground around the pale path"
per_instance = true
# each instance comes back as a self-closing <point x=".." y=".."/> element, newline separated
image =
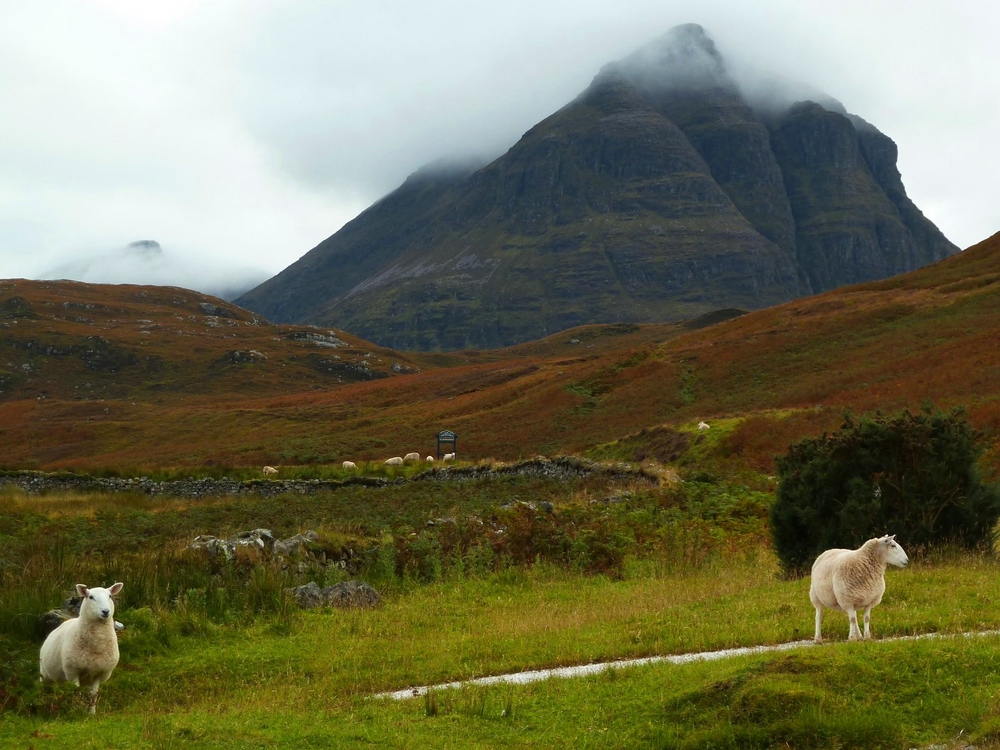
<point x="311" y="686"/>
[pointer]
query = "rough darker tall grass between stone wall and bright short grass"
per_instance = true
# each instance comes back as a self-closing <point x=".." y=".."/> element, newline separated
<point x="53" y="542"/>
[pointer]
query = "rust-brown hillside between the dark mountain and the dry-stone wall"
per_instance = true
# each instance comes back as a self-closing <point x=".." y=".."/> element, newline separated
<point x="931" y="334"/>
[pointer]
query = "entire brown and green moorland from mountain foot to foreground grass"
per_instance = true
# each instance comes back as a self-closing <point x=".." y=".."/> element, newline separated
<point x="650" y="537"/>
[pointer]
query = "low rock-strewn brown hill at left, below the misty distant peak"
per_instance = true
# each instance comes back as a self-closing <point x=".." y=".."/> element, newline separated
<point x="93" y="342"/>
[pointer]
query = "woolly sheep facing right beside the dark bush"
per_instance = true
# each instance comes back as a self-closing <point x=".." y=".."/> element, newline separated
<point x="849" y="580"/>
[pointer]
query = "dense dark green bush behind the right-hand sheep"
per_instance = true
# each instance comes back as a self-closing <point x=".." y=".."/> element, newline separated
<point x="913" y="475"/>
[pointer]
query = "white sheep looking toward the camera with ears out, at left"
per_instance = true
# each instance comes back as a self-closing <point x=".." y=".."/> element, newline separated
<point x="84" y="649"/>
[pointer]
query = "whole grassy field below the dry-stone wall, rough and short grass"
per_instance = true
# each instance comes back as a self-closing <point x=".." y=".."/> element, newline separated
<point x="244" y="668"/>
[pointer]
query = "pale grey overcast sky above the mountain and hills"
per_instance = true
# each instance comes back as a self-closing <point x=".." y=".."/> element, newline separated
<point x="240" y="133"/>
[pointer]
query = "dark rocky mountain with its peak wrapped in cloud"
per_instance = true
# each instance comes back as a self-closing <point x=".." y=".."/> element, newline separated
<point x="664" y="191"/>
